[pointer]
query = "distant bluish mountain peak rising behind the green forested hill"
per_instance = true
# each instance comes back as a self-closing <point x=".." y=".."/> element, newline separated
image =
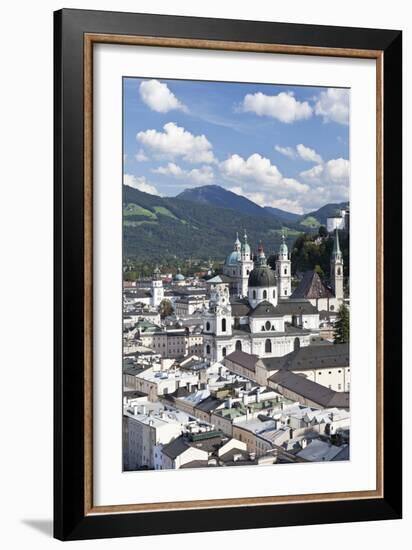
<point x="215" y="195"/>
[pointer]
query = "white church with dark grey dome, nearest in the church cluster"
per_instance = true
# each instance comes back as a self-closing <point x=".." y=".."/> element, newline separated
<point x="258" y="323"/>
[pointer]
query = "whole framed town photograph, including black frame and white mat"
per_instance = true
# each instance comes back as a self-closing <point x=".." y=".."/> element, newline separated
<point x="227" y="274"/>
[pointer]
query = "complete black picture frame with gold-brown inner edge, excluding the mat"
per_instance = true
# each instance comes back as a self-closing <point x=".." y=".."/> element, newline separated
<point x="75" y="34"/>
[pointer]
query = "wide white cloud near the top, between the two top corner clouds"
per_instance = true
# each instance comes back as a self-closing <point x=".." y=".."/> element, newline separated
<point x="283" y="107"/>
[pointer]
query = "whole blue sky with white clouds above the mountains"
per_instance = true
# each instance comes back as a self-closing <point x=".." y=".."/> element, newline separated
<point x="278" y="145"/>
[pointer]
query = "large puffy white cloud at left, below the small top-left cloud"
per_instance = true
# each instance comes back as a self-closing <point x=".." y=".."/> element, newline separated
<point x="174" y="142"/>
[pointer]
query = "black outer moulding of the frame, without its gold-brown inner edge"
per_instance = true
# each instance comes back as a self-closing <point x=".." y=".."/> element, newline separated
<point x="70" y="522"/>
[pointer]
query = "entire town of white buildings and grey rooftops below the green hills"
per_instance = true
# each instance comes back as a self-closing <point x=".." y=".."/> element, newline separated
<point x="239" y="367"/>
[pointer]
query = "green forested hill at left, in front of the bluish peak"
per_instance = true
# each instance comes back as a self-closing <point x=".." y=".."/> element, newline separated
<point x="156" y="228"/>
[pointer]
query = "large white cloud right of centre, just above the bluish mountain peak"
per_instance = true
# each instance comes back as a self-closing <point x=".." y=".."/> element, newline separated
<point x="259" y="170"/>
